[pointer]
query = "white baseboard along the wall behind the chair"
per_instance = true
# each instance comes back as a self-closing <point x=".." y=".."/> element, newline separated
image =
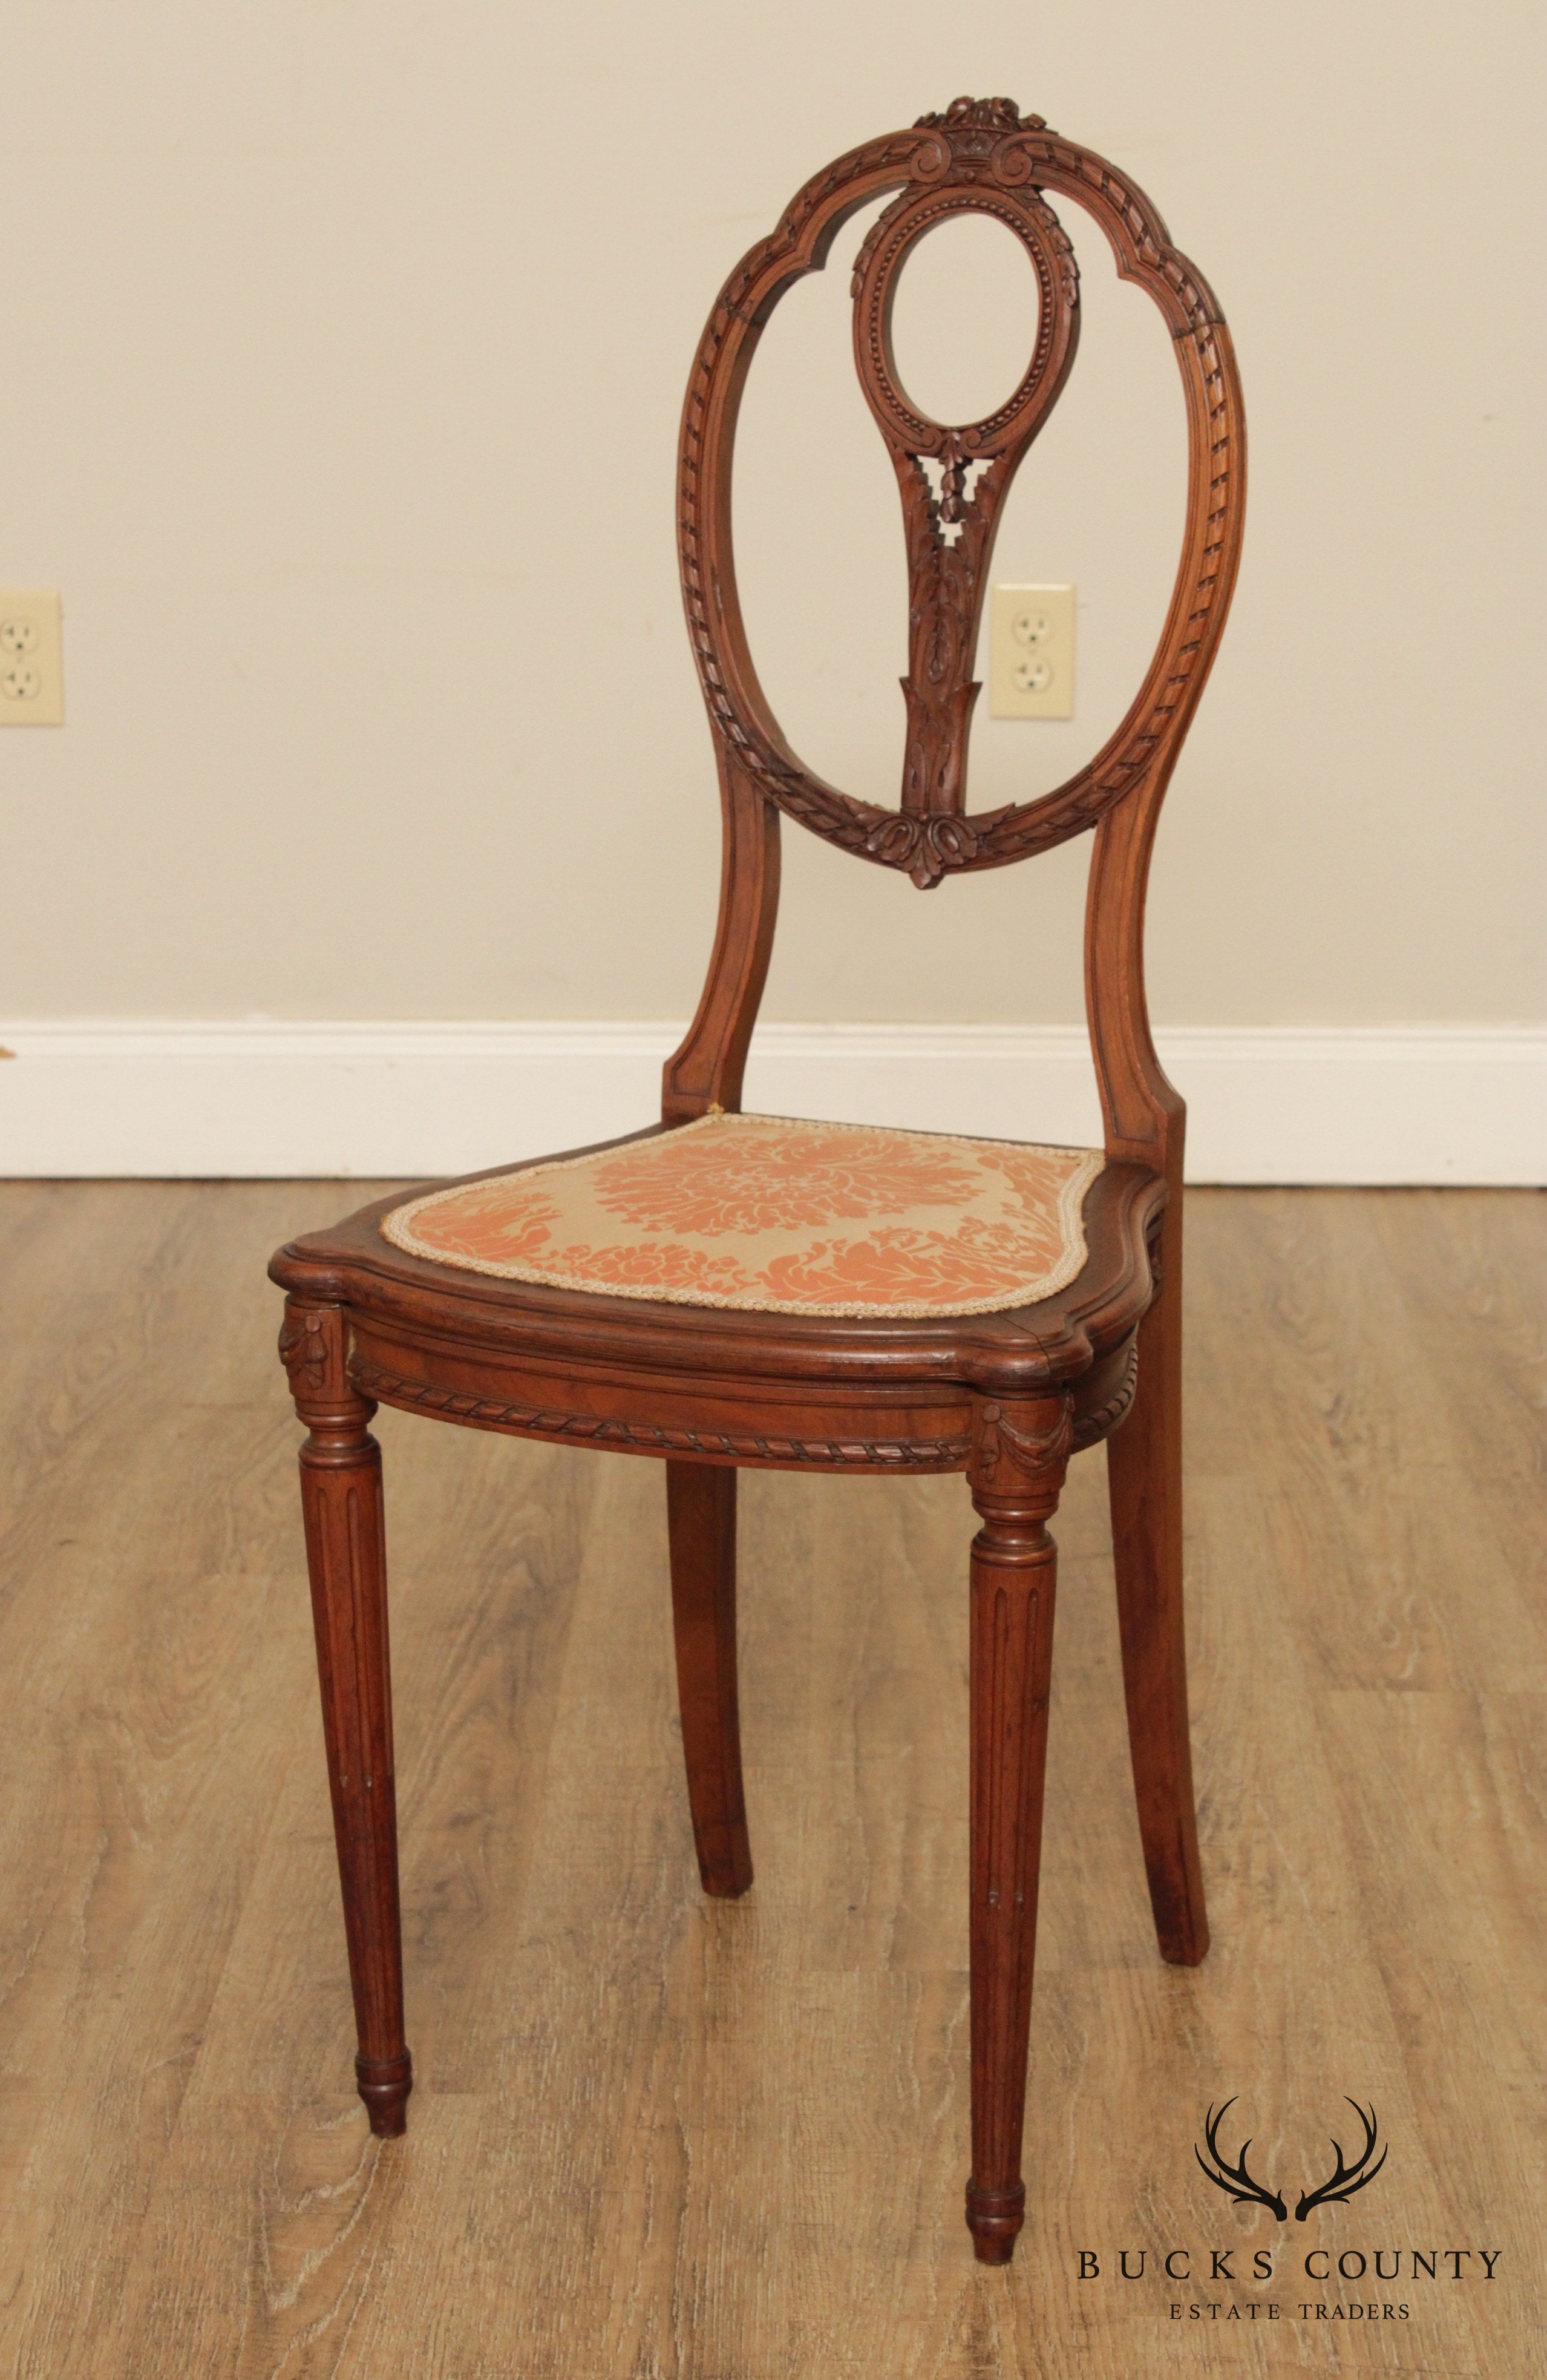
<point x="1267" y="1106"/>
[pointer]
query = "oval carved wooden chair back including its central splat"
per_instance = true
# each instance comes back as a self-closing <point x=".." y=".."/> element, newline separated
<point x="982" y="156"/>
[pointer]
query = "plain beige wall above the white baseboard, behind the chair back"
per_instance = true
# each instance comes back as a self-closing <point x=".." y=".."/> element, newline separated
<point x="339" y="387"/>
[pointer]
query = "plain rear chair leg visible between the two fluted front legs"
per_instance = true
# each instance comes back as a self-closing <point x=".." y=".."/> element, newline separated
<point x="701" y="1522"/>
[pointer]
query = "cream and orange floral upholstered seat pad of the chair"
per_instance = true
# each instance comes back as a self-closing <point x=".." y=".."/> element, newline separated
<point x="777" y="1217"/>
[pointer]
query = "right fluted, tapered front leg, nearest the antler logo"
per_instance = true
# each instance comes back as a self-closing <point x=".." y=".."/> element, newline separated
<point x="1017" y="1472"/>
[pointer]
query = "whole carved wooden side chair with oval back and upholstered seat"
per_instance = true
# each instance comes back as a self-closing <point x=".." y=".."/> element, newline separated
<point x="729" y="1291"/>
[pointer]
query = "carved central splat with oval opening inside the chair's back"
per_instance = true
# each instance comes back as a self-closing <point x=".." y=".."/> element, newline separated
<point x="956" y="480"/>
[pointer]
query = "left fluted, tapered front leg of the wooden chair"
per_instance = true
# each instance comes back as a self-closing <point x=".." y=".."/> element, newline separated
<point x="346" y="1558"/>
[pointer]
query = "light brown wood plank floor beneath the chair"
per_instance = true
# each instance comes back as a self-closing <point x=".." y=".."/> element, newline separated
<point x="663" y="2138"/>
